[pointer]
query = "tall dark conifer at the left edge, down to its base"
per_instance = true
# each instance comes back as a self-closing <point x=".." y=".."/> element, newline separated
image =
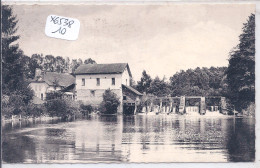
<point x="14" y="83"/>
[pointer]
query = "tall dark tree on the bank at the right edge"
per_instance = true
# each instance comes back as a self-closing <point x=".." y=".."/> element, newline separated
<point x="241" y="68"/>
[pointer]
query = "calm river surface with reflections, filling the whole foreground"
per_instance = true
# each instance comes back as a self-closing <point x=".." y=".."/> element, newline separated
<point x="144" y="138"/>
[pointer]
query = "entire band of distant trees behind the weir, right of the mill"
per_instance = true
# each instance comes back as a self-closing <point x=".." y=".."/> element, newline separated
<point x="192" y="82"/>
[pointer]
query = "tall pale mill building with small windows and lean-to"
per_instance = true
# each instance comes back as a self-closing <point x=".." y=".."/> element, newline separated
<point x="93" y="79"/>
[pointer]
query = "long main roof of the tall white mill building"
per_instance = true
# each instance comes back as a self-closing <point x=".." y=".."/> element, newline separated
<point x="116" y="68"/>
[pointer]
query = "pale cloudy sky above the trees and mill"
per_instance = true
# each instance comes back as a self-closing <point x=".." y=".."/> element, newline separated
<point x="161" y="39"/>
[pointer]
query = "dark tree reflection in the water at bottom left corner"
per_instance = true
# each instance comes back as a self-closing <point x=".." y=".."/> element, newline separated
<point x="16" y="149"/>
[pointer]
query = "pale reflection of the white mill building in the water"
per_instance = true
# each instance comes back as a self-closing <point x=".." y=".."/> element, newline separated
<point x="100" y="139"/>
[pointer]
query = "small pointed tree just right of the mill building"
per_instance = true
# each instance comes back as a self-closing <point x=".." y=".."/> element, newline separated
<point x="145" y="82"/>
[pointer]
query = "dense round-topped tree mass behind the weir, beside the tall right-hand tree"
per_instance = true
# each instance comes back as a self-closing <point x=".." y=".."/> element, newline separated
<point x="198" y="82"/>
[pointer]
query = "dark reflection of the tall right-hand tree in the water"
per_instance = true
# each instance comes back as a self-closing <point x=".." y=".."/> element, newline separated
<point x="241" y="143"/>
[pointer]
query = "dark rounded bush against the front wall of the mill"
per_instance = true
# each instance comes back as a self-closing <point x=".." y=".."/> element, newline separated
<point x="110" y="102"/>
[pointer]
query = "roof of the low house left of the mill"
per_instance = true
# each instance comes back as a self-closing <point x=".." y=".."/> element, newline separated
<point x="62" y="79"/>
